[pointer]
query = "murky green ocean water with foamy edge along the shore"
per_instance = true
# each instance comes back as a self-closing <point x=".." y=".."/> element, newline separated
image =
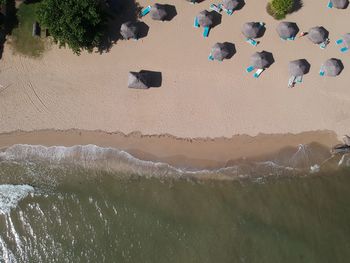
<point x="92" y="204"/>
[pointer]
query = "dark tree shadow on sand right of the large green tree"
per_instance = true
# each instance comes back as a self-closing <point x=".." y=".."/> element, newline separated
<point x="119" y="12"/>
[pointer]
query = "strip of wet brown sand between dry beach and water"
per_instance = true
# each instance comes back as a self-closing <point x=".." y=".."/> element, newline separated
<point x="191" y="153"/>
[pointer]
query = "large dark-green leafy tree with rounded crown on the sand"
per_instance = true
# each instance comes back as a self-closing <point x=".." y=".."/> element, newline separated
<point x="80" y="24"/>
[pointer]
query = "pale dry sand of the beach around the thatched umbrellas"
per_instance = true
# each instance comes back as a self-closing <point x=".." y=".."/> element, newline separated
<point x="198" y="98"/>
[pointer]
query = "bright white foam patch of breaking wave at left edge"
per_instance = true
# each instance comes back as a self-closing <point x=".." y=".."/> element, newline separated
<point x="10" y="195"/>
